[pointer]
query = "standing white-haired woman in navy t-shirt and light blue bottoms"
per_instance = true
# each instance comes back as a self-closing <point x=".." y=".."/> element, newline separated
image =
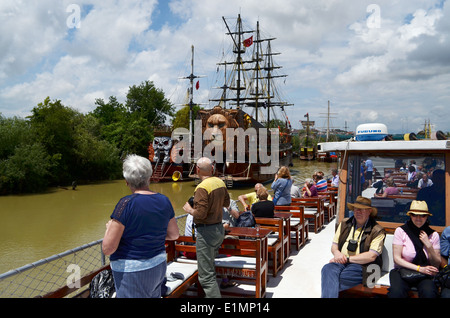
<point x="136" y="234"/>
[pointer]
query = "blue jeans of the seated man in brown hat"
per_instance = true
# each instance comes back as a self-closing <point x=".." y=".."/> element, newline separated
<point x="337" y="277"/>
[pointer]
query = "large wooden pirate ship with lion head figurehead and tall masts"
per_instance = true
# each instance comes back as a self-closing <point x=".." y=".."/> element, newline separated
<point x="248" y="98"/>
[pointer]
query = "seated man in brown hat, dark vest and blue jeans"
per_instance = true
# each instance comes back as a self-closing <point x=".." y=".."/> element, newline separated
<point x="357" y="243"/>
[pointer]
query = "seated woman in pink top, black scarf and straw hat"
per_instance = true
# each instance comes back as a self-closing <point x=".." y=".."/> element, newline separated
<point x="416" y="247"/>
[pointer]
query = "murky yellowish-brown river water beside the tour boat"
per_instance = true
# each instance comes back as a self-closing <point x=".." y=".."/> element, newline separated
<point x="40" y="225"/>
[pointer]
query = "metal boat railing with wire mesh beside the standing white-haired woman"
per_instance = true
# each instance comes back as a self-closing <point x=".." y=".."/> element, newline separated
<point x="49" y="274"/>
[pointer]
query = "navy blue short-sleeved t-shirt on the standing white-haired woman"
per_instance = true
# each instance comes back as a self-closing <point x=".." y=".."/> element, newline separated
<point x="145" y="218"/>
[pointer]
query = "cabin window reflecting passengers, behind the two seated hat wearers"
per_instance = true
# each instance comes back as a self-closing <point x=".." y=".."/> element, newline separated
<point x="395" y="181"/>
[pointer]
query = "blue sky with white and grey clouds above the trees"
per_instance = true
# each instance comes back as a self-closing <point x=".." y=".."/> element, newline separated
<point x="384" y="61"/>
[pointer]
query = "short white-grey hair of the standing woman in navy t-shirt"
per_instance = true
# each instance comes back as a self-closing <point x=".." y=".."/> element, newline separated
<point x="137" y="171"/>
